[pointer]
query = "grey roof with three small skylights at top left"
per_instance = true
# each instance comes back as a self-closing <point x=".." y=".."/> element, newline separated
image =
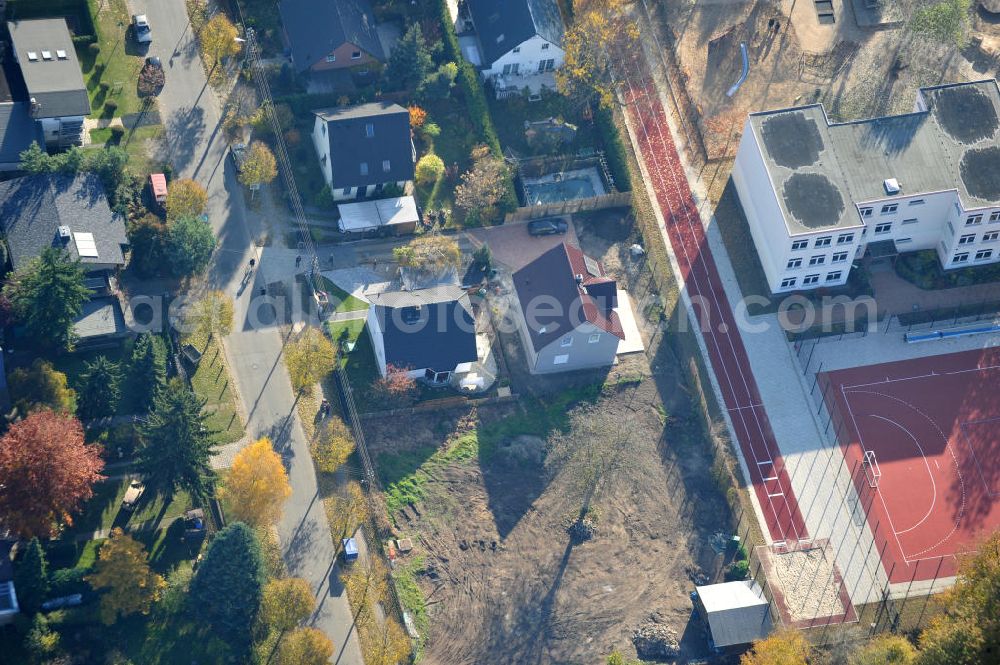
<point x="55" y="84"/>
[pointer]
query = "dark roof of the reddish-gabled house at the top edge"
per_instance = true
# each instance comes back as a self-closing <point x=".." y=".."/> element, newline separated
<point x="316" y="28"/>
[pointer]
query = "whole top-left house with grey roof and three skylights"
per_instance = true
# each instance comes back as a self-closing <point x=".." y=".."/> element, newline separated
<point x="57" y="96"/>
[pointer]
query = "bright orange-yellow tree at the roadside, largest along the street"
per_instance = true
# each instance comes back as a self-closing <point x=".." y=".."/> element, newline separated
<point x="256" y="485"/>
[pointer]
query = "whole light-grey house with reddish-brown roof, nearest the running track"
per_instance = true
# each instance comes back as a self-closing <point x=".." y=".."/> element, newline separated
<point x="565" y="312"/>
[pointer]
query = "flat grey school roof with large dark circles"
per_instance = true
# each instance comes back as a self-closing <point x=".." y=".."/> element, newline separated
<point x="954" y="145"/>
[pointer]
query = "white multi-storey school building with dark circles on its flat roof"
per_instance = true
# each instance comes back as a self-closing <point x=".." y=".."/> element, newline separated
<point x="819" y="195"/>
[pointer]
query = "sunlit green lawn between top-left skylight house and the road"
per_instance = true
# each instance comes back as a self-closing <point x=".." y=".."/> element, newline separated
<point x="114" y="66"/>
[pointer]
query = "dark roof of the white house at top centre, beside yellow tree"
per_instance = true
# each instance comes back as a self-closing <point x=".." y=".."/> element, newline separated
<point x="503" y="24"/>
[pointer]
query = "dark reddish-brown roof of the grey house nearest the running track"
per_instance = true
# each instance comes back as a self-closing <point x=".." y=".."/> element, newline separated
<point x="553" y="276"/>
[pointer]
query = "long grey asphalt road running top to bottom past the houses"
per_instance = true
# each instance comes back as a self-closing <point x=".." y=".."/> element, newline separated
<point x="196" y="146"/>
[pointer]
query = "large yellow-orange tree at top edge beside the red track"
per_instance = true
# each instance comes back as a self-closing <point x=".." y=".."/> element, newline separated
<point x="602" y="35"/>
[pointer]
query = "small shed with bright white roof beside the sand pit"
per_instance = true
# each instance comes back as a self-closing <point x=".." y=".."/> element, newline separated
<point x="737" y="613"/>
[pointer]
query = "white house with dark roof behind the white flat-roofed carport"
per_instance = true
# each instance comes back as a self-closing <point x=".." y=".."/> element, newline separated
<point x="364" y="148"/>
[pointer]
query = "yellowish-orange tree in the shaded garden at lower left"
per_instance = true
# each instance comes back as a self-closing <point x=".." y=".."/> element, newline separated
<point x="122" y="573"/>
